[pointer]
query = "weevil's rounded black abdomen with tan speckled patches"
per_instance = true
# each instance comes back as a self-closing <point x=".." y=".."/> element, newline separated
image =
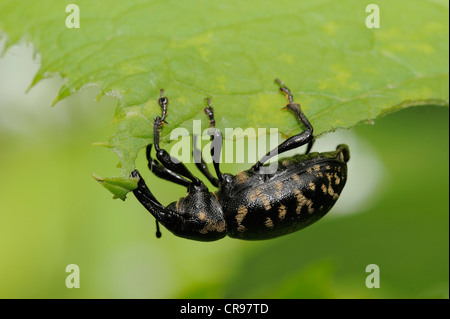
<point x="302" y="191"/>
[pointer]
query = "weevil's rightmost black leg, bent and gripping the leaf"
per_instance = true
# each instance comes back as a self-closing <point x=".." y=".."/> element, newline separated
<point x="306" y="137"/>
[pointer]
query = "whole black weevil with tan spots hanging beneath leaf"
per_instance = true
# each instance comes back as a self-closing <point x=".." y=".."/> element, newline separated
<point x="250" y="205"/>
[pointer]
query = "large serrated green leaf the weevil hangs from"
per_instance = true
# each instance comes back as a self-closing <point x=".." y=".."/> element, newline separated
<point x="342" y="72"/>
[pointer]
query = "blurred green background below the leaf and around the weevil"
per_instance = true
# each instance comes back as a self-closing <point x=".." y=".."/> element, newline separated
<point x="393" y="213"/>
